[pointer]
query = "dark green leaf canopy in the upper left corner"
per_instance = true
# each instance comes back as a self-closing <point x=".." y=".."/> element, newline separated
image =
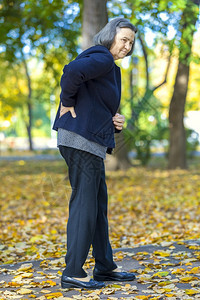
<point x="37" y="25"/>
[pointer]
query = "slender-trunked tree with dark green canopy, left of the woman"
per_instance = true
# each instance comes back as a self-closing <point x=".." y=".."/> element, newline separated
<point x="31" y="29"/>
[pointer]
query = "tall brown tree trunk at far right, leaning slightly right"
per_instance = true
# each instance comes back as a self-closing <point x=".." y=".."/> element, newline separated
<point x="177" y="147"/>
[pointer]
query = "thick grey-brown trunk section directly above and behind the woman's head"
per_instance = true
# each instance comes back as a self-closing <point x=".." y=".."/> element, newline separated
<point x="95" y="18"/>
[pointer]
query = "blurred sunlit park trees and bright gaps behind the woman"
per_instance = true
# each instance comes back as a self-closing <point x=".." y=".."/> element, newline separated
<point x="160" y="82"/>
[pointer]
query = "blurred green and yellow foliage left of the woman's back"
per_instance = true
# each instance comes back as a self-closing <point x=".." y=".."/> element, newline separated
<point x="31" y="32"/>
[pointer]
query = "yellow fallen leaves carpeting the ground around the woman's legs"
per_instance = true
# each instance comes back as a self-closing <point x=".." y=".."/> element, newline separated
<point x="156" y="207"/>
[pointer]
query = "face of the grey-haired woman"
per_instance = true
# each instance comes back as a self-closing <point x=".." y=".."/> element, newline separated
<point x="123" y="43"/>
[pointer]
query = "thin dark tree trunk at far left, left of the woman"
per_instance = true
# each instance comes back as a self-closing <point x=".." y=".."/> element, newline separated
<point x="29" y="107"/>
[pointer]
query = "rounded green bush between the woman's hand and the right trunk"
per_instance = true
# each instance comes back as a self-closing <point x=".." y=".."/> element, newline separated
<point x="146" y="127"/>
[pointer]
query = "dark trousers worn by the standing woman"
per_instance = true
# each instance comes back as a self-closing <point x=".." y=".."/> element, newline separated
<point x="87" y="224"/>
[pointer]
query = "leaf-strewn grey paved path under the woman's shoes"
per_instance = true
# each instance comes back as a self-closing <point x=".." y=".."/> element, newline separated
<point x="169" y="271"/>
